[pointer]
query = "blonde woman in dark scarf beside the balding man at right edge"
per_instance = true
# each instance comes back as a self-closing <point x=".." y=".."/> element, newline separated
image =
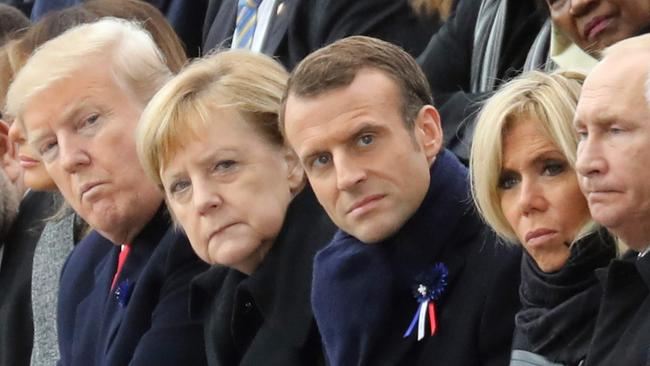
<point x="524" y="185"/>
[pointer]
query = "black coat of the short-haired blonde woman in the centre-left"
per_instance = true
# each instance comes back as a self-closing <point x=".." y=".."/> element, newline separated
<point x="266" y="319"/>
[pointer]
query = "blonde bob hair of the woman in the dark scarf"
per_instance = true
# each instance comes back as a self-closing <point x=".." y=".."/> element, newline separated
<point x="550" y="99"/>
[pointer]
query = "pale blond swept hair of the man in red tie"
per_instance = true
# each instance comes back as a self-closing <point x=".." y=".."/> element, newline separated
<point x="135" y="61"/>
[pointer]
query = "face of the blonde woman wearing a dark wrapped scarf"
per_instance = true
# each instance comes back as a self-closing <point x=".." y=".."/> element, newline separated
<point x="540" y="196"/>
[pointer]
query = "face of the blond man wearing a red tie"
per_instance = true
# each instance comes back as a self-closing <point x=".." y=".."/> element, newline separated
<point x="83" y="130"/>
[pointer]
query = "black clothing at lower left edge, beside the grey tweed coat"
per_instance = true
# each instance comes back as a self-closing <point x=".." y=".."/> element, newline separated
<point x="16" y="324"/>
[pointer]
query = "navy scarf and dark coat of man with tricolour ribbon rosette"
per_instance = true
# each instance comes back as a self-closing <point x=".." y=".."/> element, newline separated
<point x="362" y="294"/>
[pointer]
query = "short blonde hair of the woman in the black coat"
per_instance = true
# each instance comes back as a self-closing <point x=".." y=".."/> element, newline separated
<point x="251" y="84"/>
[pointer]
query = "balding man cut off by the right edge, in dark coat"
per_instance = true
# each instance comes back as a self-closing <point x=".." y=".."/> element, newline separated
<point x="613" y="121"/>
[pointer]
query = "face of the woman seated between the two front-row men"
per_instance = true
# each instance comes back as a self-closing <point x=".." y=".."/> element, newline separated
<point x="230" y="189"/>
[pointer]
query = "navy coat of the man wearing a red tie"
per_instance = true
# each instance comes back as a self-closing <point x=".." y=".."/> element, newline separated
<point x="148" y="323"/>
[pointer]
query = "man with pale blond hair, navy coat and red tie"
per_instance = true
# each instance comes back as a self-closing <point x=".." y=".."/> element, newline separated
<point x="124" y="291"/>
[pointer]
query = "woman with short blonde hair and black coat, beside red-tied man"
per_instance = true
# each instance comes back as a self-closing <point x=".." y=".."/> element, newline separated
<point x="210" y="139"/>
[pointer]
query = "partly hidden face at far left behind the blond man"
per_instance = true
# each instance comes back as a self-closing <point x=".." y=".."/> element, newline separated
<point x="34" y="174"/>
